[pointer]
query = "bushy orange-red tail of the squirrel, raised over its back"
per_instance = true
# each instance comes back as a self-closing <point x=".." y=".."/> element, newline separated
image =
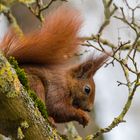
<point x="53" y="44"/>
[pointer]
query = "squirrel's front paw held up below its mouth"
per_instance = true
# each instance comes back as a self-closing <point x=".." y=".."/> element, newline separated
<point x="84" y="118"/>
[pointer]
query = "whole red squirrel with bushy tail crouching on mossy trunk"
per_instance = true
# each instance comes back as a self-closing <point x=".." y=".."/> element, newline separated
<point x="67" y="90"/>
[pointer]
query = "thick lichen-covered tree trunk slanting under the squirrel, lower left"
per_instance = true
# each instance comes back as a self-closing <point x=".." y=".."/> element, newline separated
<point x="19" y="118"/>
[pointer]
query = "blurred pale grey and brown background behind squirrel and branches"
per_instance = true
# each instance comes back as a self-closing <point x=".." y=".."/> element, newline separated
<point x="110" y="98"/>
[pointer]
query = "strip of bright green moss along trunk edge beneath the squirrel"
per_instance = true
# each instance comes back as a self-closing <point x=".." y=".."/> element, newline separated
<point x="24" y="81"/>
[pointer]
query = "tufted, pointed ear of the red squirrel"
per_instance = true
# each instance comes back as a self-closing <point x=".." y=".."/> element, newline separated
<point x="89" y="67"/>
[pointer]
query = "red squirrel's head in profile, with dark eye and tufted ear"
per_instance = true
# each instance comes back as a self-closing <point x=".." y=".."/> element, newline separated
<point x="81" y="84"/>
